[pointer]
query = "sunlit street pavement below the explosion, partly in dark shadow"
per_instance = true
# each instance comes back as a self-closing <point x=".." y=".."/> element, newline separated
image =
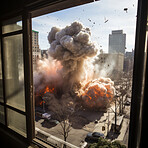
<point x="82" y="124"/>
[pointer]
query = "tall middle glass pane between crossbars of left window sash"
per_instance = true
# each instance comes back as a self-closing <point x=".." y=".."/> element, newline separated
<point x="14" y="71"/>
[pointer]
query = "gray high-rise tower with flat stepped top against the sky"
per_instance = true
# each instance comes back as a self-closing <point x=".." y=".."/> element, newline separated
<point x="117" y="42"/>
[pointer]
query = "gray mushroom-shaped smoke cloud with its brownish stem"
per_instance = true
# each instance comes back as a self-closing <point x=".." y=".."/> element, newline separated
<point x="71" y="46"/>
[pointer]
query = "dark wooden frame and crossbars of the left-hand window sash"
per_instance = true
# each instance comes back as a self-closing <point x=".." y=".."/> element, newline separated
<point x="28" y="77"/>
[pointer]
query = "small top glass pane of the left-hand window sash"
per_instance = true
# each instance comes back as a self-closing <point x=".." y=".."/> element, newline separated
<point x="11" y="25"/>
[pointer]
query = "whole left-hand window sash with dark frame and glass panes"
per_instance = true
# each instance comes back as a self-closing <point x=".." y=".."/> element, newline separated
<point x="14" y="96"/>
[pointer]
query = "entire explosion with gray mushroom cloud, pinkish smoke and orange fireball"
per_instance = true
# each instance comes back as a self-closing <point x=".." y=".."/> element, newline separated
<point x="69" y="65"/>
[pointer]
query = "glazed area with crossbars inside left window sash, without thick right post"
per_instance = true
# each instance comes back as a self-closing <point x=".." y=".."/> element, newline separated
<point x="13" y="105"/>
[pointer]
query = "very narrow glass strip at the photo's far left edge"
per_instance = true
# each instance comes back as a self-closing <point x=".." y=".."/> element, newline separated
<point x="1" y="80"/>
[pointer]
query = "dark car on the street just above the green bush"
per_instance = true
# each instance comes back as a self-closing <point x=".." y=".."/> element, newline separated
<point x="93" y="137"/>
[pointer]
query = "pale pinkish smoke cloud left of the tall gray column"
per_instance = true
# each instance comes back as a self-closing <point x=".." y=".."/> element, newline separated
<point x="47" y="74"/>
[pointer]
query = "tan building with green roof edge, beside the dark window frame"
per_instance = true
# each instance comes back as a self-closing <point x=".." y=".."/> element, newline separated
<point x="36" y="52"/>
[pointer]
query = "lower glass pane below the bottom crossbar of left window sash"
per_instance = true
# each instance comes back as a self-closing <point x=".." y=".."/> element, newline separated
<point x="17" y="122"/>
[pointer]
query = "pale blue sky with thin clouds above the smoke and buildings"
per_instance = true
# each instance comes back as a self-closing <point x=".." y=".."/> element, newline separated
<point x="101" y="17"/>
